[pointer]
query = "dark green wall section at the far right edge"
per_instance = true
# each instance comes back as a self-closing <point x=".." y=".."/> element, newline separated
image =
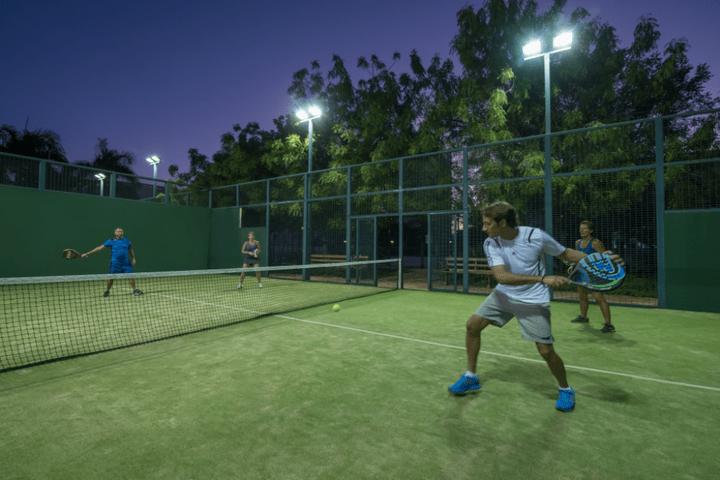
<point x="692" y="262"/>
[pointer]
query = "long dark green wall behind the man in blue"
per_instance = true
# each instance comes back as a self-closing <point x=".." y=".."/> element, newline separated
<point x="38" y="225"/>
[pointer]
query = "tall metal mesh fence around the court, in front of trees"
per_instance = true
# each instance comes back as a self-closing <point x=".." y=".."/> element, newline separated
<point x="426" y="209"/>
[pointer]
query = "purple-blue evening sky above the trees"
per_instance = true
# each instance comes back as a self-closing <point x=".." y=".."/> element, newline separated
<point x="160" y="77"/>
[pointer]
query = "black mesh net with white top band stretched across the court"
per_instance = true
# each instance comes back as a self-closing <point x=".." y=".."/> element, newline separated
<point x="43" y="319"/>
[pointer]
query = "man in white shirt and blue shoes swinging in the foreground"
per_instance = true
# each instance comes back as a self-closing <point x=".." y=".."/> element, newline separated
<point x="516" y="256"/>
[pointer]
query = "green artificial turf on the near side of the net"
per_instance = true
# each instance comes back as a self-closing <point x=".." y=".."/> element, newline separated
<point x="362" y="393"/>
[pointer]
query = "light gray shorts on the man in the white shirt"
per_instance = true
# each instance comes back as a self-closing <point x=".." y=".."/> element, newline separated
<point x="533" y="318"/>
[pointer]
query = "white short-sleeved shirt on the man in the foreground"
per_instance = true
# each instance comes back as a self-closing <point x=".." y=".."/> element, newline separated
<point x="523" y="255"/>
